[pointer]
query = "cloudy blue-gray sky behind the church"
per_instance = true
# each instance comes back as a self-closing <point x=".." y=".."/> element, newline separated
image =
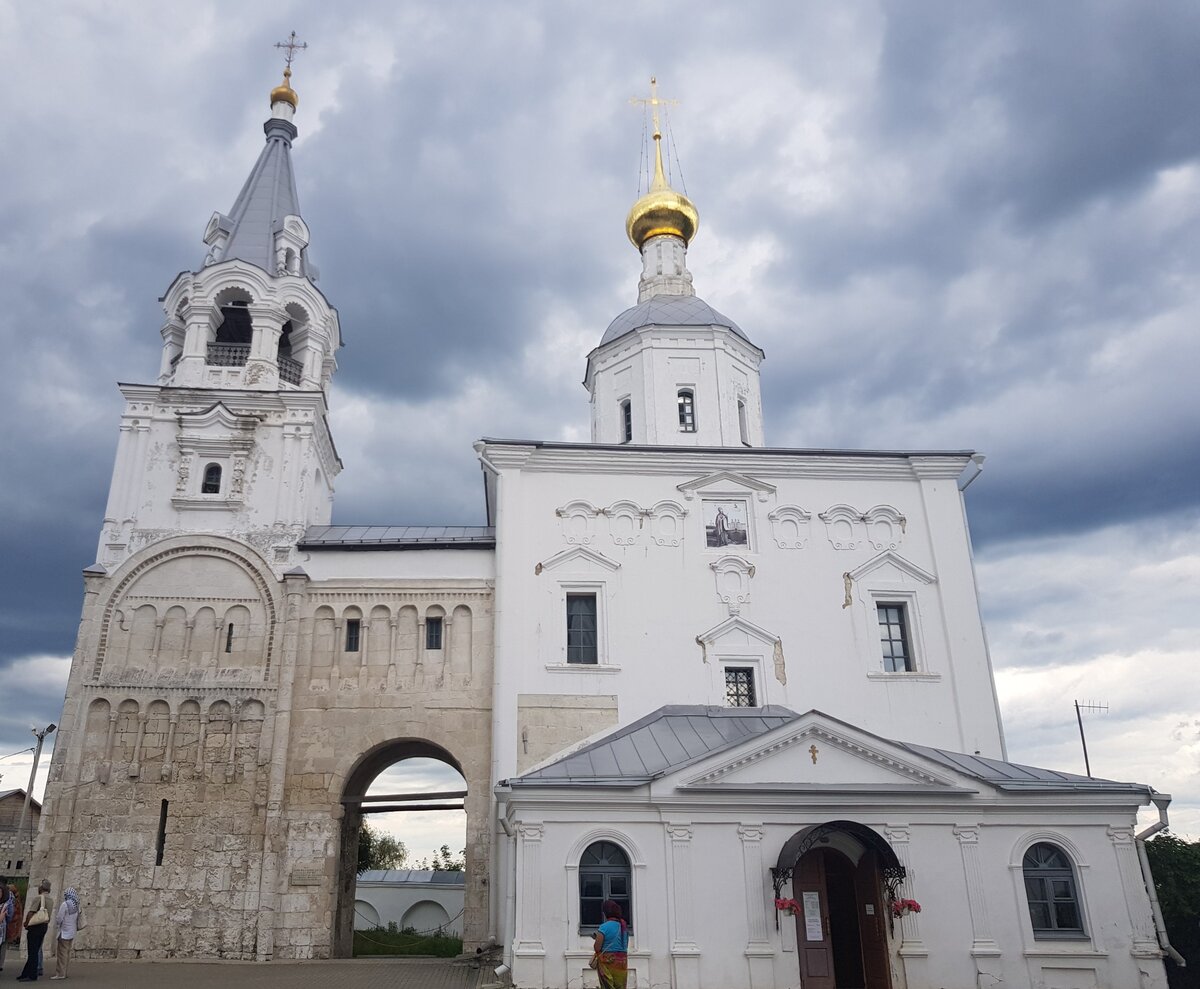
<point x="947" y="224"/>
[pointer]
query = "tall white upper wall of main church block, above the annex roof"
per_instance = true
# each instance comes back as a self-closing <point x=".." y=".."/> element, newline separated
<point x="629" y="526"/>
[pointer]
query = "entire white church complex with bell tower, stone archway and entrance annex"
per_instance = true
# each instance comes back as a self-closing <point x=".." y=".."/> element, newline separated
<point x="745" y="692"/>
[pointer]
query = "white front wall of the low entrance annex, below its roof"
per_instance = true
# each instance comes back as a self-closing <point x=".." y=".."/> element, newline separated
<point x="704" y="904"/>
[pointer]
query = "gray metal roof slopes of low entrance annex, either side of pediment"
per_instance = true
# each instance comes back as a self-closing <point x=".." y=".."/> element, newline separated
<point x="673" y="738"/>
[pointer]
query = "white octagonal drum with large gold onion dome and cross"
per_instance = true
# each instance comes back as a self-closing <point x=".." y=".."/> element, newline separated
<point x="673" y="370"/>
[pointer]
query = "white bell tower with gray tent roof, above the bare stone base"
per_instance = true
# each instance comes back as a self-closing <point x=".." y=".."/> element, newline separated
<point x="233" y="439"/>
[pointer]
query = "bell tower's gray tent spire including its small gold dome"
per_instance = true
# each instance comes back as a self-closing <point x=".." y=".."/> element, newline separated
<point x="267" y="200"/>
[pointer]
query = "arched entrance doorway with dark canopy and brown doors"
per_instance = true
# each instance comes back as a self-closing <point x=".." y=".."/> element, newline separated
<point x="842" y="873"/>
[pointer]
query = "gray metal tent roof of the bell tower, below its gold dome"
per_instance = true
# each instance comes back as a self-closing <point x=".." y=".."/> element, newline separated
<point x="268" y="196"/>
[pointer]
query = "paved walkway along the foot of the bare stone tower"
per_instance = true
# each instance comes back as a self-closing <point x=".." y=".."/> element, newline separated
<point x="357" y="974"/>
